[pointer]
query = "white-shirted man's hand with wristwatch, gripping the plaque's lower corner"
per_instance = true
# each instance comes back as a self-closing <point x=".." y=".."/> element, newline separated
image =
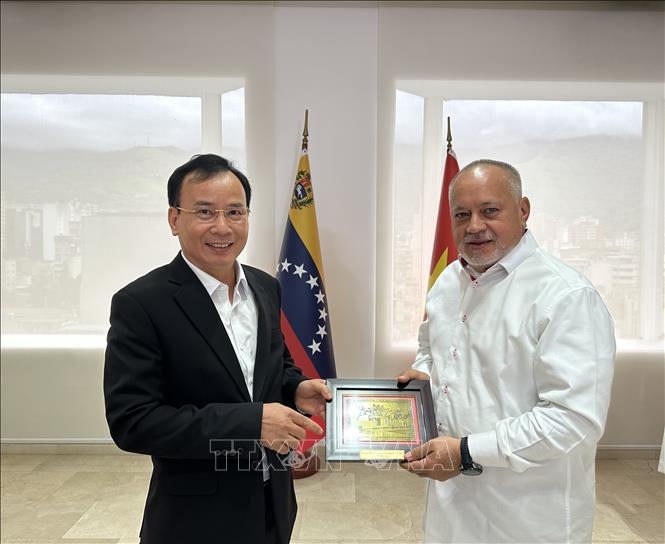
<point x="439" y="459"/>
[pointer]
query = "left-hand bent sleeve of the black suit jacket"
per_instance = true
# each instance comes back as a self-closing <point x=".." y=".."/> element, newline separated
<point x="137" y="410"/>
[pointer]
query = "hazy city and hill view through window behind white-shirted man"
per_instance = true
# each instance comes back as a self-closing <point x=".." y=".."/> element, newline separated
<point x="582" y="168"/>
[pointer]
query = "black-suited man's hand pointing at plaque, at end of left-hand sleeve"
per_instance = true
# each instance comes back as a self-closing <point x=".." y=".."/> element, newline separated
<point x="282" y="428"/>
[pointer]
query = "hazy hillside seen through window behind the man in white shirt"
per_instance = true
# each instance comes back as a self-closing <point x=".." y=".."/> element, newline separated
<point x="599" y="176"/>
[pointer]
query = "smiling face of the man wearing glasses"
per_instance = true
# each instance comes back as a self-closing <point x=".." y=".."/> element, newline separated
<point x="211" y="246"/>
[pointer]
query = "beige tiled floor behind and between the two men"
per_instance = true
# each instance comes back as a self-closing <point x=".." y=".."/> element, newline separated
<point x="98" y="499"/>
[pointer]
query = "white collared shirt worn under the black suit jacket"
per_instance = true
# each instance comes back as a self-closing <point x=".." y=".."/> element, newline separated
<point x="240" y="317"/>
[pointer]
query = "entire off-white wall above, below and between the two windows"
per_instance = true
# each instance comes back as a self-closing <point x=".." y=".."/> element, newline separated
<point x="341" y="63"/>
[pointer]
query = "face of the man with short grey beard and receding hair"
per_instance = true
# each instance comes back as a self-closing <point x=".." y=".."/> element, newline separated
<point x="488" y="221"/>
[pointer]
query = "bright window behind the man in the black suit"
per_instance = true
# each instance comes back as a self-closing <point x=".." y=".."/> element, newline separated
<point x="84" y="198"/>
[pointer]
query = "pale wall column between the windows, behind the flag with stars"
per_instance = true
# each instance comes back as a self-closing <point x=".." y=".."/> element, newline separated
<point x="326" y="61"/>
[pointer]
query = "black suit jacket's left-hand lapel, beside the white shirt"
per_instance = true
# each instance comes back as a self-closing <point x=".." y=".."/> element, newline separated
<point x="199" y="308"/>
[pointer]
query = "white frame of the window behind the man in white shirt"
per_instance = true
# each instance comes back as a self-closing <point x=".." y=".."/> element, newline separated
<point x="436" y="92"/>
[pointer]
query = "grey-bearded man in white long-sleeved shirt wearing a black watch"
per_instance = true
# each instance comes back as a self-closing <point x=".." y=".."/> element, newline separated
<point x="520" y="350"/>
